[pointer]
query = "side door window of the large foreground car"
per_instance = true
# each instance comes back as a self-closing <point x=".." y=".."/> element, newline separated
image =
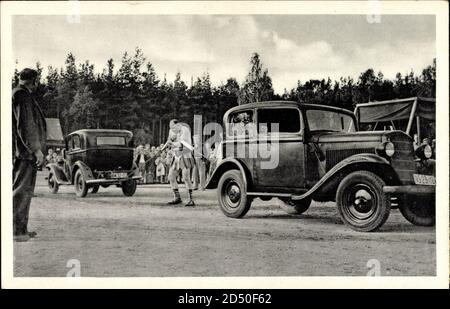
<point x="283" y="120"/>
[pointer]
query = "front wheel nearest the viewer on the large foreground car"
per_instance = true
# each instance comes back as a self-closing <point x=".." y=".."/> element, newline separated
<point x="361" y="202"/>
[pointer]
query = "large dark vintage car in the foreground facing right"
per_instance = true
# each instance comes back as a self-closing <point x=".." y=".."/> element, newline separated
<point x="321" y="156"/>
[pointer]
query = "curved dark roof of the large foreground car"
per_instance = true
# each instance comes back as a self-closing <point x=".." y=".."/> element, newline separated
<point x="279" y="103"/>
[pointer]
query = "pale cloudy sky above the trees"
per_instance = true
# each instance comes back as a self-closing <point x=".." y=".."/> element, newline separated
<point x="292" y="47"/>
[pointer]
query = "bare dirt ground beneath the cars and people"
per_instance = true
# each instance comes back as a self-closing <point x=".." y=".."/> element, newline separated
<point x="113" y="235"/>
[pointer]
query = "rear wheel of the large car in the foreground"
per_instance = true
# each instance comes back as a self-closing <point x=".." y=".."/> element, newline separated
<point x="232" y="196"/>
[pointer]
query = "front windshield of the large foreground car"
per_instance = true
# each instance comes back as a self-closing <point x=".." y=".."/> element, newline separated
<point x="324" y="120"/>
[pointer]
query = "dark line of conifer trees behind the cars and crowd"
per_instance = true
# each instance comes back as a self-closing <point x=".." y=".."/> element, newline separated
<point x="134" y="97"/>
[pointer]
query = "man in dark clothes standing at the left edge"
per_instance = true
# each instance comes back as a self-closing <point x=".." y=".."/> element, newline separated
<point x="29" y="137"/>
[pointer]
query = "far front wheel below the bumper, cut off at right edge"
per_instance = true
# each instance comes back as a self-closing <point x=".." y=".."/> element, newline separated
<point x="419" y="210"/>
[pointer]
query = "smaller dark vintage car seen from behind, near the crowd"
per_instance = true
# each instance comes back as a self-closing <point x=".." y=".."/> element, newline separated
<point x="94" y="158"/>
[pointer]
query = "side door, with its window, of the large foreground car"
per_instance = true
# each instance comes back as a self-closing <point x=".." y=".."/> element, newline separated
<point x="280" y="162"/>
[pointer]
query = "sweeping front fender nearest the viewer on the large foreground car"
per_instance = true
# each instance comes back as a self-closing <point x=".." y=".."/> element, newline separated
<point x="328" y="183"/>
